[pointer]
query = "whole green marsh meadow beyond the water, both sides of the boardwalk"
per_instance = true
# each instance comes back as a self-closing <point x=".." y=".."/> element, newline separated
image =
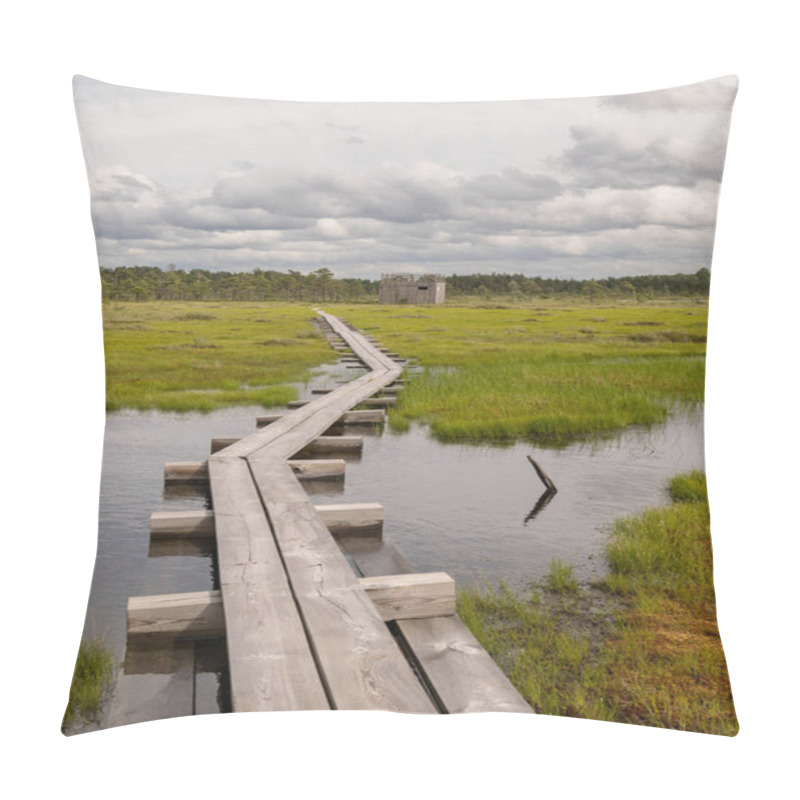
<point x="547" y="373"/>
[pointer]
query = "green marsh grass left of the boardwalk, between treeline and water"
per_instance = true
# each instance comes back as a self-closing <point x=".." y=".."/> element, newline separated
<point x="202" y="356"/>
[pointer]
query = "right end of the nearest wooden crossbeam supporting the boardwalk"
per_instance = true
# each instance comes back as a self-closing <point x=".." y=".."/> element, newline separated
<point x="417" y="595"/>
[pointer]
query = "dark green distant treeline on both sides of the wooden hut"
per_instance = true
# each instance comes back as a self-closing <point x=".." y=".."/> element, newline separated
<point x="154" y="283"/>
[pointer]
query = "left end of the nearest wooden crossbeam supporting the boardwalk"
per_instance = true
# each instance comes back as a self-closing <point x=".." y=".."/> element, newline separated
<point x="187" y="615"/>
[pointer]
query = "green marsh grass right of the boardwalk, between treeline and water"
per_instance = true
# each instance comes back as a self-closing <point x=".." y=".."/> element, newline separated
<point x="549" y="374"/>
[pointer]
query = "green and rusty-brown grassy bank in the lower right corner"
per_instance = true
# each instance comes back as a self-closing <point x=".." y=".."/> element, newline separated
<point x="640" y="647"/>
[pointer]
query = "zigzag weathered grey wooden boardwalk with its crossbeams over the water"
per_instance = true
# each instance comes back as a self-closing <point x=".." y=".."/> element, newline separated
<point x="304" y="629"/>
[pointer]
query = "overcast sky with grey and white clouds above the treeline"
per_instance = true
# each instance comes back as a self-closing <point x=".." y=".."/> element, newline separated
<point x="560" y="188"/>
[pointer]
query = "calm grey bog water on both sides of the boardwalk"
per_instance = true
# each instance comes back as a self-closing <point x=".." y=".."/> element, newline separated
<point x="463" y="509"/>
